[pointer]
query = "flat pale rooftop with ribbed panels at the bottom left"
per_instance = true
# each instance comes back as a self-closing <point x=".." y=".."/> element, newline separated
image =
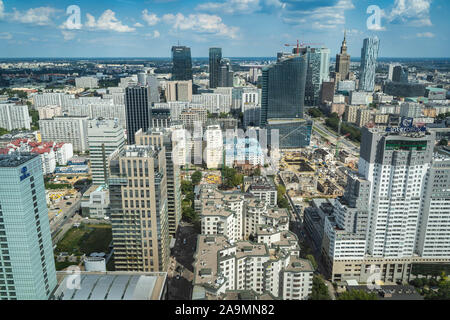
<point x="111" y="286"/>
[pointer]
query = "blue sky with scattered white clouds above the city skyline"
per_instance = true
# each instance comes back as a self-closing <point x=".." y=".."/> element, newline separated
<point x="253" y="28"/>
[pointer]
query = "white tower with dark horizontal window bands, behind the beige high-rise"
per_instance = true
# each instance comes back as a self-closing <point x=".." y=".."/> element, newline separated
<point x="105" y="137"/>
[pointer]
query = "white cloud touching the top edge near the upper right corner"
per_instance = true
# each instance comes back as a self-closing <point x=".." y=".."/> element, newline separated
<point x="412" y="12"/>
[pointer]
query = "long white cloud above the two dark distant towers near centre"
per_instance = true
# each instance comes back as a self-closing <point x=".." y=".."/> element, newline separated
<point x="201" y="23"/>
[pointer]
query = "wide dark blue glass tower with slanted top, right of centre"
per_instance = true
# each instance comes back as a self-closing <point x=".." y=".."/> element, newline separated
<point x="283" y="88"/>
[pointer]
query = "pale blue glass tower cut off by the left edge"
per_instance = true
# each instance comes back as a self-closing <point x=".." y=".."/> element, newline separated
<point x="26" y="256"/>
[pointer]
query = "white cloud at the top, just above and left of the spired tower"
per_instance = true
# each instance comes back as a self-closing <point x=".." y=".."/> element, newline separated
<point x="325" y="17"/>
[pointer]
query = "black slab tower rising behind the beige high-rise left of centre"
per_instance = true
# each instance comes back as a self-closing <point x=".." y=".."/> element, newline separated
<point x="138" y="110"/>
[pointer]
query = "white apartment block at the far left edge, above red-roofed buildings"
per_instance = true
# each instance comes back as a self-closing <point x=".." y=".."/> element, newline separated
<point x="14" y="116"/>
